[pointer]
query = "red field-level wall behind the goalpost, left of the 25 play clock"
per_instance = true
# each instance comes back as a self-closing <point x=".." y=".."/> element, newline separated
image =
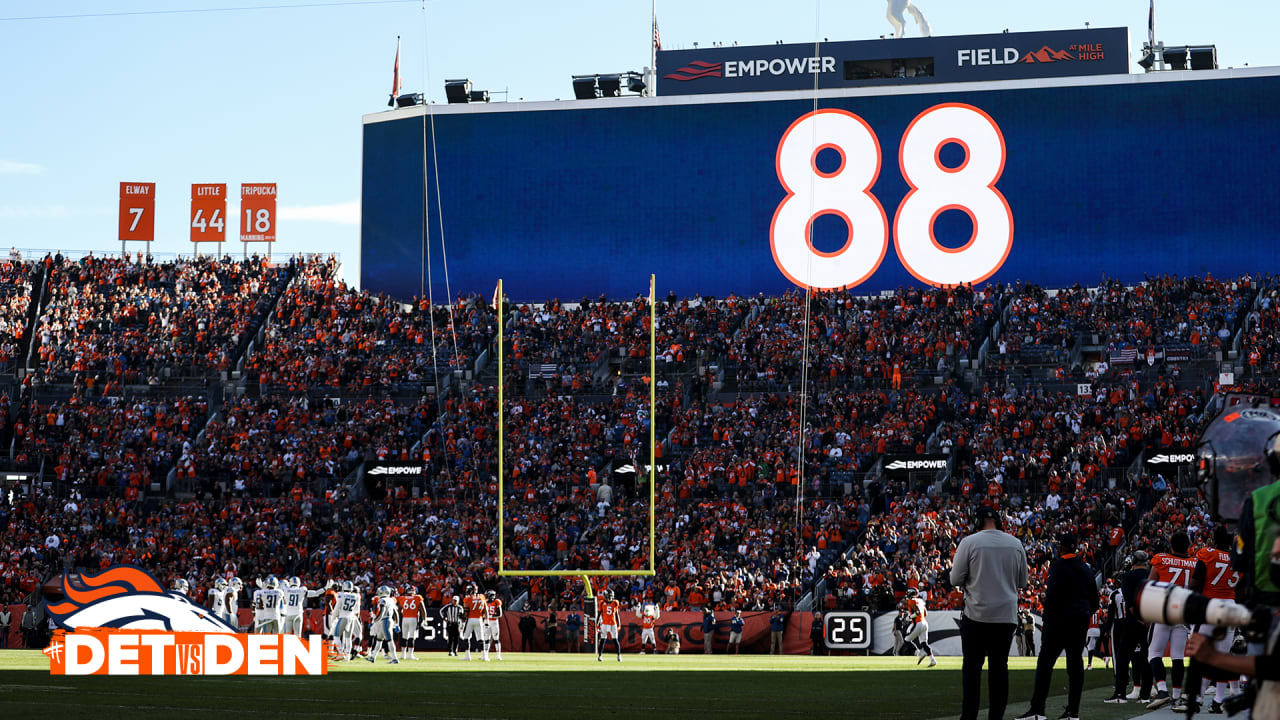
<point x="688" y="626"/>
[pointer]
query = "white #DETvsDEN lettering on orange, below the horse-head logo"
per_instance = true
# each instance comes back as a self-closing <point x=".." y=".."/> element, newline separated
<point x="104" y="651"/>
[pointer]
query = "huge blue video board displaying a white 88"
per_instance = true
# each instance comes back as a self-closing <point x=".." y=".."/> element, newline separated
<point x="1117" y="176"/>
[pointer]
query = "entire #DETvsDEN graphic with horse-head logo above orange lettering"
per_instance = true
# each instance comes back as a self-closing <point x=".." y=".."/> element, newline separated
<point x="124" y="622"/>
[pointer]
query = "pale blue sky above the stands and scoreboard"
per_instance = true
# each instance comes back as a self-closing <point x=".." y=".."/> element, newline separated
<point x="277" y="95"/>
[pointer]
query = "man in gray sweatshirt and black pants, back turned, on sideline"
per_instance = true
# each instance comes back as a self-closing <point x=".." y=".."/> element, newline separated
<point x="990" y="567"/>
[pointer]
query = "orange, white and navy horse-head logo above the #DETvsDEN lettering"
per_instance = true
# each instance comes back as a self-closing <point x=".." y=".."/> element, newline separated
<point x="127" y="596"/>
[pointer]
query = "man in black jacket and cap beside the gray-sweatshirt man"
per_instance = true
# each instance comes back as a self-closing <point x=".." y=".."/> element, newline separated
<point x="1071" y="599"/>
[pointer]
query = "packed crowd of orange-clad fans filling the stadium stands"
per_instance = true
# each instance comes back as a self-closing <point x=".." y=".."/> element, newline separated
<point x="739" y="526"/>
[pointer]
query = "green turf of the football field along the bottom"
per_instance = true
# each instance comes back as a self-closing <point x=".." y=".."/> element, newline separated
<point x="542" y="686"/>
